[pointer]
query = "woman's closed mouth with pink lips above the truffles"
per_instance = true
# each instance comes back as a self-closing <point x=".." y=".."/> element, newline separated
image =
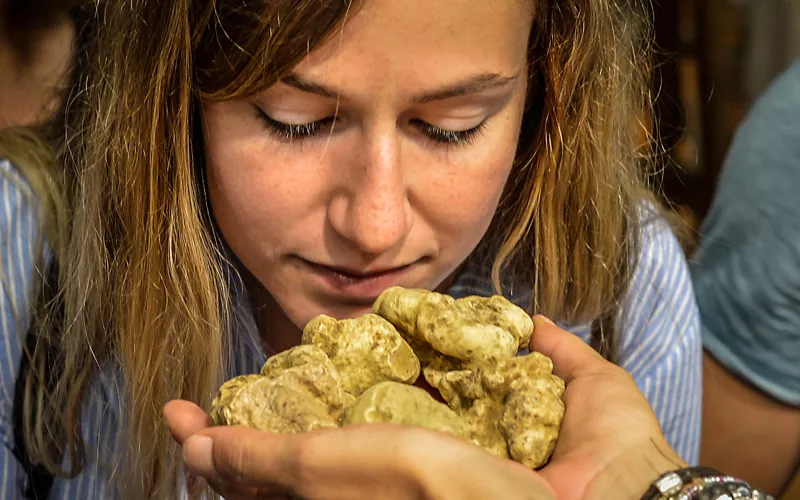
<point x="359" y="287"/>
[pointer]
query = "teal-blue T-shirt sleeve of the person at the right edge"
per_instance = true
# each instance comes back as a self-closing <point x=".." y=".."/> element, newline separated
<point x="747" y="269"/>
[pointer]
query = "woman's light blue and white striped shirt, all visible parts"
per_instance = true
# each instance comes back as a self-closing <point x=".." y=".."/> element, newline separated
<point x="659" y="344"/>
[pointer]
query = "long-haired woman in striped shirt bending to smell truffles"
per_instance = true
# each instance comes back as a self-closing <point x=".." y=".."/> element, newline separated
<point x="232" y="170"/>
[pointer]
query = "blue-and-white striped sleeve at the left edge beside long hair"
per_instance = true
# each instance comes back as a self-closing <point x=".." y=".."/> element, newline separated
<point x="20" y="251"/>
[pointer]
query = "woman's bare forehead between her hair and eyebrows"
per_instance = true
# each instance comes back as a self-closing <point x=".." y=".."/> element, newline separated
<point x="409" y="42"/>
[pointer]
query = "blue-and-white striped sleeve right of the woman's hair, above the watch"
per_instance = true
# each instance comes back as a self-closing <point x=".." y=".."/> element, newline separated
<point x="660" y="343"/>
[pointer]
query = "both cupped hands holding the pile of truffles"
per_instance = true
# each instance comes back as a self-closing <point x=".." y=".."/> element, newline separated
<point x="610" y="446"/>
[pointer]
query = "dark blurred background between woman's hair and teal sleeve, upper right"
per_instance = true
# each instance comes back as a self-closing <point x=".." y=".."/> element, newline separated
<point x="715" y="57"/>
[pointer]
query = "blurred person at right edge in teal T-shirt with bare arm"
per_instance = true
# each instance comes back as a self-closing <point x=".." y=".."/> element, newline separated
<point x="746" y="274"/>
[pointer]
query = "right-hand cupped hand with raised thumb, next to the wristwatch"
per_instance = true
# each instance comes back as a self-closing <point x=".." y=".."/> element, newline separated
<point x="611" y="444"/>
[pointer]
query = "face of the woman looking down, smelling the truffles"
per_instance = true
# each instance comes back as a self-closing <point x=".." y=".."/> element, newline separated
<point x="380" y="161"/>
